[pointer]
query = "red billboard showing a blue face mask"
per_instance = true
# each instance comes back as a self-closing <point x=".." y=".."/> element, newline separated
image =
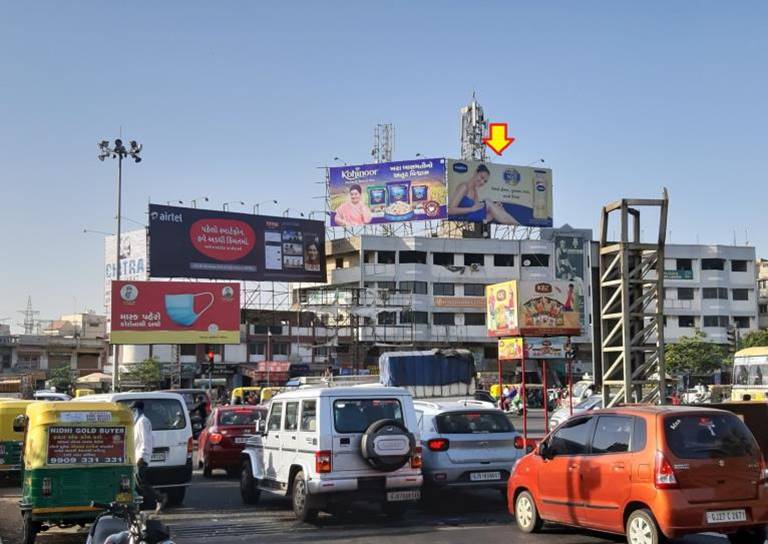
<point x="172" y="312"/>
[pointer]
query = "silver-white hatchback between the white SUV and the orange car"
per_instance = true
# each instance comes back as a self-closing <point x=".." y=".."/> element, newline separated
<point x="467" y="444"/>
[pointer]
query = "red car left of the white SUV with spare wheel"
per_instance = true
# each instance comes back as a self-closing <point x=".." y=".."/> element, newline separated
<point x="225" y="435"/>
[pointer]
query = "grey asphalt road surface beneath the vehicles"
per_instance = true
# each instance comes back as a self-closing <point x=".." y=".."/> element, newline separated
<point x="213" y="512"/>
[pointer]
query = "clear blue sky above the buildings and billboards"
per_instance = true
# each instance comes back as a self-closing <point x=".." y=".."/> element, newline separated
<point x="243" y="101"/>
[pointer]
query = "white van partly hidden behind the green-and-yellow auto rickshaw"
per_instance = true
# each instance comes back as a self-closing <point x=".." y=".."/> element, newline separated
<point x="170" y="469"/>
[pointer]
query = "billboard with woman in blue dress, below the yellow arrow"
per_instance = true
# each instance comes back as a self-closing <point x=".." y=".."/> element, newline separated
<point x="499" y="193"/>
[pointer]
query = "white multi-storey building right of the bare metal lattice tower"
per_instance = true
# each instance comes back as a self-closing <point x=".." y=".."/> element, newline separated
<point x="710" y="288"/>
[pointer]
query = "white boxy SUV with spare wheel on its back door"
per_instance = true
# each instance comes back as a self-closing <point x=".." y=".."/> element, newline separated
<point x="327" y="447"/>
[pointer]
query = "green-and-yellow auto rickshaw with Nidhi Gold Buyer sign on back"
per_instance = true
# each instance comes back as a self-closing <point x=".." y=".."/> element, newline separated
<point x="74" y="453"/>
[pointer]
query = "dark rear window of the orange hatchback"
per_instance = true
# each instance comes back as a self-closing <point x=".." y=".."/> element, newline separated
<point x="706" y="436"/>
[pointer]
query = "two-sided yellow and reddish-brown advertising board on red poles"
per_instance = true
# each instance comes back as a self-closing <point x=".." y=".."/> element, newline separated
<point x="532" y="308"/>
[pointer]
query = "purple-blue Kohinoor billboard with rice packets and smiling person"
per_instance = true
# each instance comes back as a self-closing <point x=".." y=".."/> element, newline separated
<point x="388" y="192"/>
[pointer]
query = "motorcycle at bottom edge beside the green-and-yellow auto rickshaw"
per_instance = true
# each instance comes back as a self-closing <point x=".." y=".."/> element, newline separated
<point x="126" y="524"/>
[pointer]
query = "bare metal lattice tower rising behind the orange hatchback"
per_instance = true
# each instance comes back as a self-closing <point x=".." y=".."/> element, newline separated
<point x="631" y="306"/>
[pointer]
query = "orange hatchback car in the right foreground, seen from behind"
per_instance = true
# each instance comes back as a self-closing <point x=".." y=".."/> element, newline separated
<point x="650" y="472"/>
